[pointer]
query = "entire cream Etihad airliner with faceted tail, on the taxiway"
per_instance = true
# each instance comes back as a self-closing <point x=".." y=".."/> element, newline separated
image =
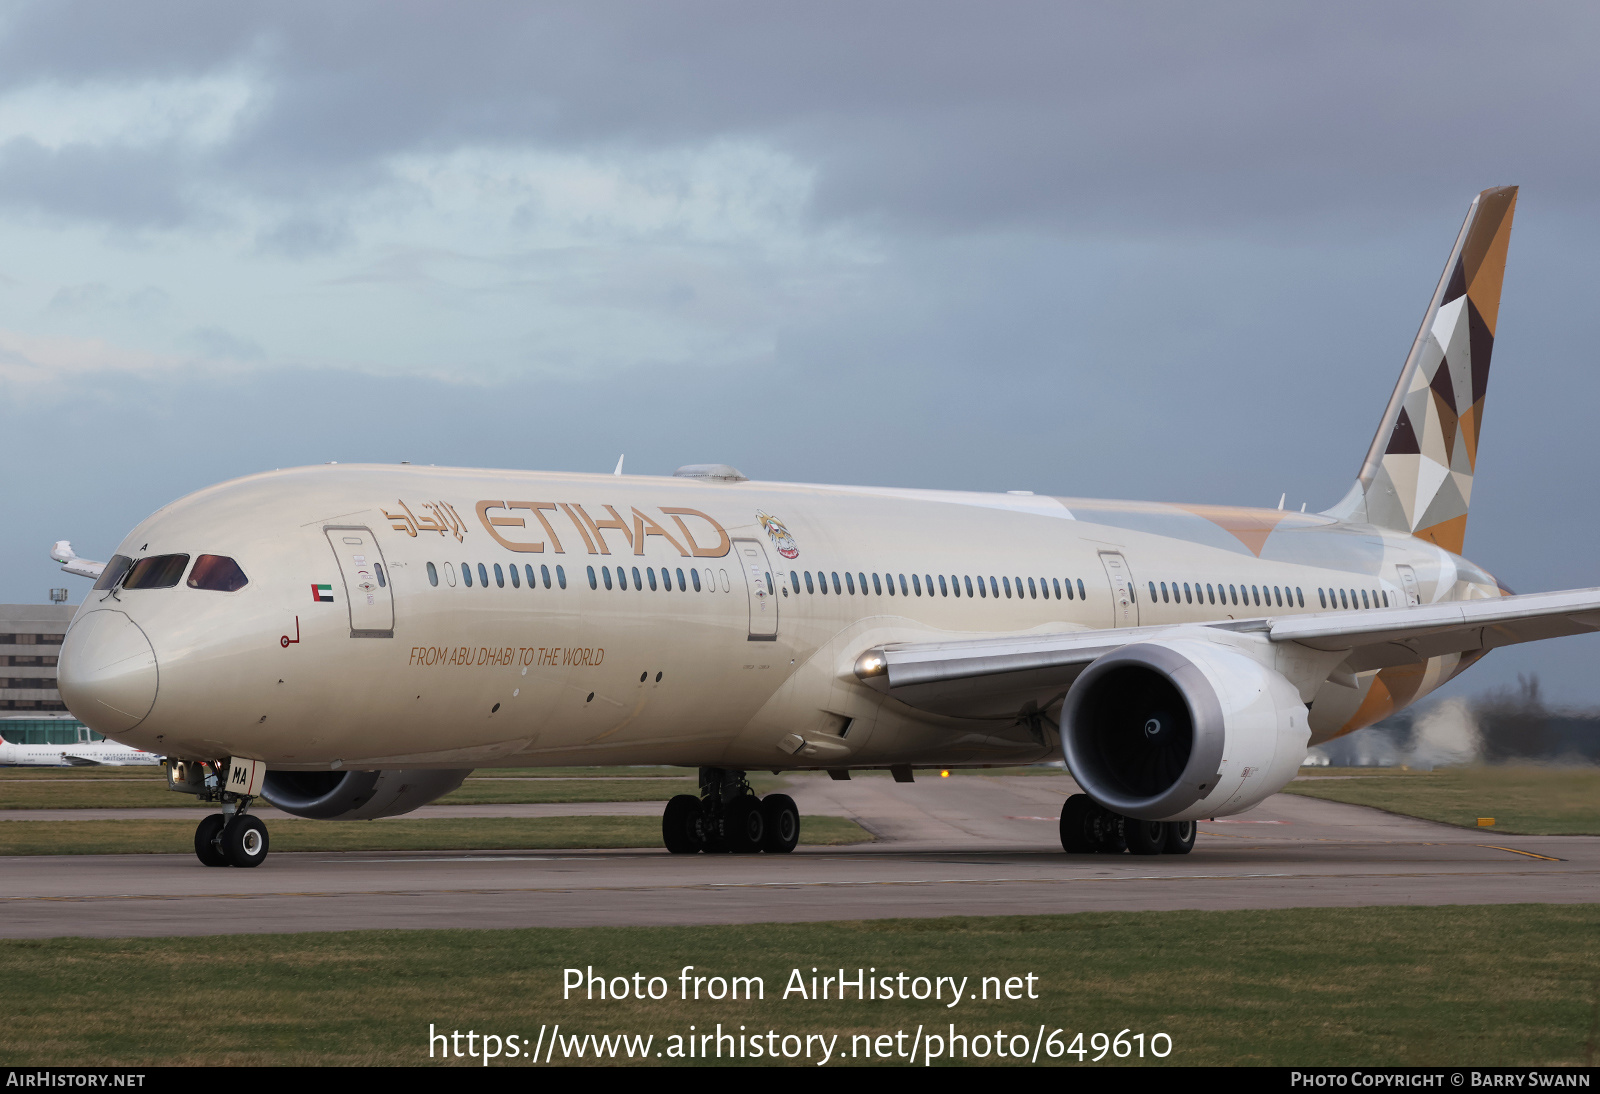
<point x="353" y="641"/>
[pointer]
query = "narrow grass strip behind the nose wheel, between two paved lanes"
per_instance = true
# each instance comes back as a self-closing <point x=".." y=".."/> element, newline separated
<point x="513" y="834"/>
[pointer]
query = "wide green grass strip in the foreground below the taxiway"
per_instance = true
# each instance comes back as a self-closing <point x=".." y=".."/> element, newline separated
<point x="1486" y="986"/>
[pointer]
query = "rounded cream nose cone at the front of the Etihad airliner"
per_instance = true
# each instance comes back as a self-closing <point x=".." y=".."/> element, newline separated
<point x="108" y="673"/>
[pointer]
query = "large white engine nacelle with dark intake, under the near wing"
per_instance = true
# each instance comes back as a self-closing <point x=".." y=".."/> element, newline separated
<point x="1182" y="730"/>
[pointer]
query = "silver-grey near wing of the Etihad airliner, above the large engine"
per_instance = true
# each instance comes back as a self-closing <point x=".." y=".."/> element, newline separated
<point x="1020" y="674"/>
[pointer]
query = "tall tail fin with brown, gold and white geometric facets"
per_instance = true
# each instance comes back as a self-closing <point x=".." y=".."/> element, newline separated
<point x="1418" y="471"/>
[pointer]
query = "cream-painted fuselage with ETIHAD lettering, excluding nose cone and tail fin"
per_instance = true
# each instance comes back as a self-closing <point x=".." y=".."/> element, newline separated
<point x="510" y="676"/>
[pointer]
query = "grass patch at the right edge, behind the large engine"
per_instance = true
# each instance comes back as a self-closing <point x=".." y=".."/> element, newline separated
<point x="1522" y="799"/>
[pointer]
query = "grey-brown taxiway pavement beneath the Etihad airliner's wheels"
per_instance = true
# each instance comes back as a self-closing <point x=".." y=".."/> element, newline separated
<point x="970" y="845"/>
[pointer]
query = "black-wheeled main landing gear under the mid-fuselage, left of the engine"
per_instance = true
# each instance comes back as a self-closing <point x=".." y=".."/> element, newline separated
<point x="729" y="818"/>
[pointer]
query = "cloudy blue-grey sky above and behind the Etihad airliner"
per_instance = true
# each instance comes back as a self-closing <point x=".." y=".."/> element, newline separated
<point x="1170" y="252"/>
